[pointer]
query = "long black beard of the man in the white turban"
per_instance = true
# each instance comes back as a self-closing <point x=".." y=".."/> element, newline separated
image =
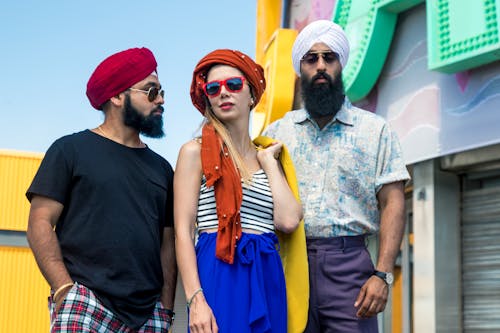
<point x="324" y="99"/>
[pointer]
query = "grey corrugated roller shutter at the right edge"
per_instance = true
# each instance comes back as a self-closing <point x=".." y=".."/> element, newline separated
<point x="481" y="257"/>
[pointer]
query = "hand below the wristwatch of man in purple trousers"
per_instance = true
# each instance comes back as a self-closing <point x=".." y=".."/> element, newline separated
<point x="372" y="298"/>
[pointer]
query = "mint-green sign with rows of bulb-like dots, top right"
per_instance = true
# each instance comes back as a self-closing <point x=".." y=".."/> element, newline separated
<point x="461" y="34"/>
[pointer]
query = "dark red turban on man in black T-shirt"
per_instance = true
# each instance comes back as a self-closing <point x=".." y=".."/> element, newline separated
<point x="119" y="72"/>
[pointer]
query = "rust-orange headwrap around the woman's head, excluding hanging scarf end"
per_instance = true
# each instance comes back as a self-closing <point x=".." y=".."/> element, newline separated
<point x="252" y="71"/>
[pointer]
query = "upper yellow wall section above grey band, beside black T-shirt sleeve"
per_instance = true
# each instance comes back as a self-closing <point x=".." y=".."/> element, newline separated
<point x="16" y="173"/>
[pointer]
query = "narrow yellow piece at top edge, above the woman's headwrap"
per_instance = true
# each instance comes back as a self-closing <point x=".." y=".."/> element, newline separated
<point x="268" y="20"/>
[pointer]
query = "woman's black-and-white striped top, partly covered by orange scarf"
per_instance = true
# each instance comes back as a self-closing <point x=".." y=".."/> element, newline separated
<point x="256" y="208"/>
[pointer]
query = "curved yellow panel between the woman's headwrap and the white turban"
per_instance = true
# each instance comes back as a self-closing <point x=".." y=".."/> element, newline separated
<point x="280" y="78"/>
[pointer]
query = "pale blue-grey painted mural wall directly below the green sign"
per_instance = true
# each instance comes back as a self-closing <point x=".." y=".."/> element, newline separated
<point x="435" y="114"/>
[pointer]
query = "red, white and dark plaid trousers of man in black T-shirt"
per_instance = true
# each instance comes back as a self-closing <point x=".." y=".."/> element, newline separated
<point x="81" y="311"/>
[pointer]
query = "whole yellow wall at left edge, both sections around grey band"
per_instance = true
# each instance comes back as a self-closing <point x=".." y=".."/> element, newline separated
<point x="23" y="290"/>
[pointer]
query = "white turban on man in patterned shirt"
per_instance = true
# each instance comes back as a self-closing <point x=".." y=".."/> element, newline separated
<point x="321" y="31"/>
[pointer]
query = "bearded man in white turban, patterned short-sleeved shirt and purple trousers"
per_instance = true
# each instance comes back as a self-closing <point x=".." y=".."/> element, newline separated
<point x="351" y="176"/>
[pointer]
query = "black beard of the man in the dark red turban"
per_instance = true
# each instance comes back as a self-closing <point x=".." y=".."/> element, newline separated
<point x="150" y="125"/>
